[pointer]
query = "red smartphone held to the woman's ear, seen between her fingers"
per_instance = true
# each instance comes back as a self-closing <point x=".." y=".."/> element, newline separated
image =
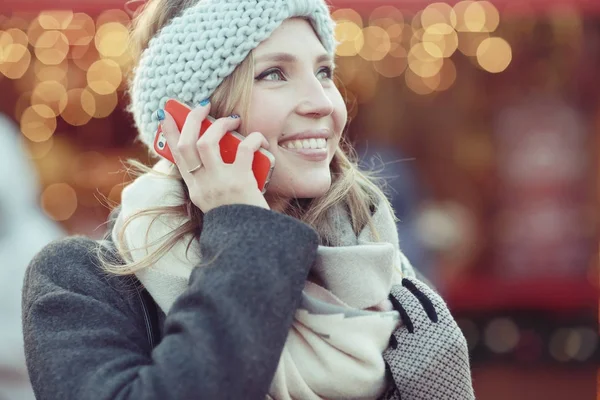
<point x="263" y="163"/>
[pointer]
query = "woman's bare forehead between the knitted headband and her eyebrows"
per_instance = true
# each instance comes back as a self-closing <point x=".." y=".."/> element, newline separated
<point x="294" y="35"/>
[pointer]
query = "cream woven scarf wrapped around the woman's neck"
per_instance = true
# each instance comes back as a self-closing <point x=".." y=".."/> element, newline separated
<point x="335" y="345"/>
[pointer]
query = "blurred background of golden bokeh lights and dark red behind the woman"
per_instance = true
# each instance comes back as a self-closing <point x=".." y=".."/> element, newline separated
<point x="484" y="118"/>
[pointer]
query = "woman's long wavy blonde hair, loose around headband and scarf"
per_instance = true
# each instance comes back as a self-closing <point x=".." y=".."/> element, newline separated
<point x="355" y="189"/>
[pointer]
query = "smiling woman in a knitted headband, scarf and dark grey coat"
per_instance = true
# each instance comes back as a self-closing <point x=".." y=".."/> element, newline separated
<point x="300" y="293"/>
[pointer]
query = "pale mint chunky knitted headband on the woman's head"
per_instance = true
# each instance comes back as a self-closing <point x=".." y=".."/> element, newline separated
<point x="192" y="55"/>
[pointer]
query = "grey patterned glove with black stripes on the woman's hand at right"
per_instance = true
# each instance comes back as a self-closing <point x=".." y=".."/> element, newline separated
<point x="428" y="356"/>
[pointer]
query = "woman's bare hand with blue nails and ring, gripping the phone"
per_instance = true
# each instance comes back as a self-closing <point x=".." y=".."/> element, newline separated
<point x="212" y="182"/>
